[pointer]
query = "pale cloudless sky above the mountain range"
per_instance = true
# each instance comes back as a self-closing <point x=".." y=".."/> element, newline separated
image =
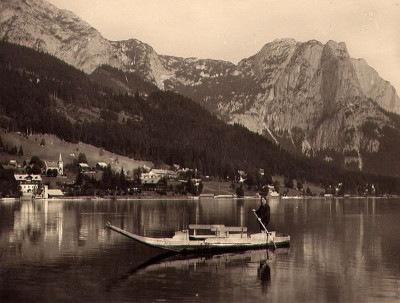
<point x="235" y="29"/>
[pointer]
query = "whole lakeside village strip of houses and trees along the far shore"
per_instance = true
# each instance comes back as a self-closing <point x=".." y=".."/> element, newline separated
<point x="39" y="179"/>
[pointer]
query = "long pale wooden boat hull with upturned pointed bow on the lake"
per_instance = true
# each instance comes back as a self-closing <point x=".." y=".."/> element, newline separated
<point x="182" y="243"/>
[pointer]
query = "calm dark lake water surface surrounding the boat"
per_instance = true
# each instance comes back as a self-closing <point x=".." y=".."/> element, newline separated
<point x="345" y="250"/>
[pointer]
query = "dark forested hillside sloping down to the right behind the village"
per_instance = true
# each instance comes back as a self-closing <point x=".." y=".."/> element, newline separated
<point x="40" y="93"/>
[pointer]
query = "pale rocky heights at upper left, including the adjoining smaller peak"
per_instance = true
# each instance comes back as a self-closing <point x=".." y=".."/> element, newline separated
<point x="42" y="26"/>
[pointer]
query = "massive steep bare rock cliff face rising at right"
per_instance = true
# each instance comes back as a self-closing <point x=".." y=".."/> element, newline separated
<point x="312" y="99"/>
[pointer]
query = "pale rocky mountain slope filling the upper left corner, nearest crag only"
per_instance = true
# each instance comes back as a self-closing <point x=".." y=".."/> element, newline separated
<point x="42" y="26"/>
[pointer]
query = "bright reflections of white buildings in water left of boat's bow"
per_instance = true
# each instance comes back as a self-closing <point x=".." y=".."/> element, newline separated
<point x="49" y="228"/>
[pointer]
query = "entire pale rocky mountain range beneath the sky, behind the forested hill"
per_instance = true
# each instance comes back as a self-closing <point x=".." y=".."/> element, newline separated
<point x="308" y="97"/>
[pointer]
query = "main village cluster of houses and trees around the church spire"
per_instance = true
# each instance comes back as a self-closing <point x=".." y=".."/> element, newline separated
<point x="40" y="179"/>
